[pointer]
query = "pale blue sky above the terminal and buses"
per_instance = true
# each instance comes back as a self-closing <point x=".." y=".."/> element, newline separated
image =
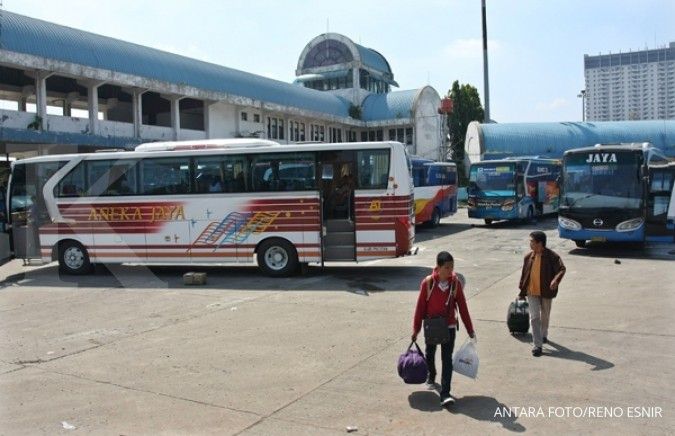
<point x="535" y="48"/>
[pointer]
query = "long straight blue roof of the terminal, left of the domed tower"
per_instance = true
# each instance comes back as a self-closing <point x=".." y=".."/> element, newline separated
<point x="41" y="38"/>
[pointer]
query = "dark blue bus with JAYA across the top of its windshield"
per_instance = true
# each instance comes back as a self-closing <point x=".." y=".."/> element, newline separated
<point x="616" y="193"/>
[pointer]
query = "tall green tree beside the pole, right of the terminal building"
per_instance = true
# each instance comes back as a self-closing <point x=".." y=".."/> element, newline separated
<point x="466" y="107"/>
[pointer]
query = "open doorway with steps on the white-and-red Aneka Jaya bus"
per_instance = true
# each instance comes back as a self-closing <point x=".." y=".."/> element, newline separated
<point x="337" y="184"/>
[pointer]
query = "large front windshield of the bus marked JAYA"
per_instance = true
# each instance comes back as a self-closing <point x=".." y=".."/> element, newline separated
<point x="595" y="180"/>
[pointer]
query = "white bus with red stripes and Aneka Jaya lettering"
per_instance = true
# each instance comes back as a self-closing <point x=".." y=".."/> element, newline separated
<point x="215" y="202"/>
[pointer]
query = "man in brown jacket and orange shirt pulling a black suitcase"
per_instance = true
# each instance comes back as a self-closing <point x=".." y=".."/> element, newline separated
<point x="542" y="272"/>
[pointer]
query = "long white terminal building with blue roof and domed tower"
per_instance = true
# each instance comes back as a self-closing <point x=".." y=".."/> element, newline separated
<point x="65" y="90"/>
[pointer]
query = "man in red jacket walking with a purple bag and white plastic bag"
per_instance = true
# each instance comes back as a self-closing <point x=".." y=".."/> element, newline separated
<point x="446" y="293"/>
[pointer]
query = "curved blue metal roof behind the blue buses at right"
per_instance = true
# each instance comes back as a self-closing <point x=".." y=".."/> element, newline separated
<point x="553" y="139"/>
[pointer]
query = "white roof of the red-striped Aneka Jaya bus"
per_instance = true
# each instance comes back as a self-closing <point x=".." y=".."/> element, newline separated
<point x="232" y="149"/>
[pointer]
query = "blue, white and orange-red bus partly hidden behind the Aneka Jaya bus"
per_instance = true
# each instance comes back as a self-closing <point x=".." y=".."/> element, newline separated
<point x="435" y="190"/>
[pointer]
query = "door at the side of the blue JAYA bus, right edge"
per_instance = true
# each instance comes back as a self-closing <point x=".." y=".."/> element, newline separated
<point x="660" y="191"/>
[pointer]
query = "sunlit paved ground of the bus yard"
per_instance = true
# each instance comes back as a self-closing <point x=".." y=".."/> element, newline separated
<point x="131" y="350"/>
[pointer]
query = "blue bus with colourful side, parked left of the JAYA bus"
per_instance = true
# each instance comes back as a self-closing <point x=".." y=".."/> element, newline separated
<point x="511" y="189"/>
